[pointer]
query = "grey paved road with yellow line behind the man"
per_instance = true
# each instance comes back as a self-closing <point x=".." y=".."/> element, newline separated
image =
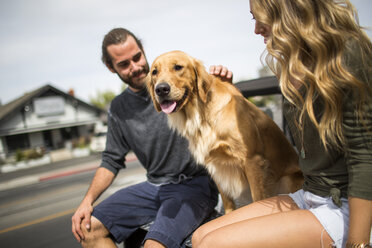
<point x="39" y="214"/>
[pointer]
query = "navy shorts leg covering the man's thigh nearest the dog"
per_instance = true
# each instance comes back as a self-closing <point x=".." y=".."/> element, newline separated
<point x="183" y="208"/>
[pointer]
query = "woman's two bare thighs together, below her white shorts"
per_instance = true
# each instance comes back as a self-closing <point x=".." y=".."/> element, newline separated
<point x="274" y="222"/>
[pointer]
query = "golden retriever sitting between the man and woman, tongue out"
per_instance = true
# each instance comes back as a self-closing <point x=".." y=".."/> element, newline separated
<point x="240" y="145"/>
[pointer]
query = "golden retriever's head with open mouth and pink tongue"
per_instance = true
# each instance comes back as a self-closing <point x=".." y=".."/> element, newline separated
<point x="174" y="79"/>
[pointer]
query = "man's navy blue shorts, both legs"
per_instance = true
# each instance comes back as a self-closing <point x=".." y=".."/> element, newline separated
<point x="176" y="209"/>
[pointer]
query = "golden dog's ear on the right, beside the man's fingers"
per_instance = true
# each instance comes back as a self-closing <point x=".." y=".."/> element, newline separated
<point x="203" y="80"/>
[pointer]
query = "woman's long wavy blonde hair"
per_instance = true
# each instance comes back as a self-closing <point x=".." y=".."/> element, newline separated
<point x="305" y="51"/>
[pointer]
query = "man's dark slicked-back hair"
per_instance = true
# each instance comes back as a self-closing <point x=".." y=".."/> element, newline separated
<point x="116" y="36"/>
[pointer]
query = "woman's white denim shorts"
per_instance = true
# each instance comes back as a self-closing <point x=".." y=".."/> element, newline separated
<point x="334" y="219"/>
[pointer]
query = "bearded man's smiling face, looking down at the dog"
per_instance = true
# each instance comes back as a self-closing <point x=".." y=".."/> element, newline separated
<point x="129" y="62"/>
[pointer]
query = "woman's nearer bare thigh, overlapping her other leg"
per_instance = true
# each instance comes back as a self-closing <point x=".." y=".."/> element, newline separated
<point x="297" y="228"/>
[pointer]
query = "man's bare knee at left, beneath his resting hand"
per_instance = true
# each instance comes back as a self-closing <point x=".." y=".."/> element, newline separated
<point x="96" y="232"/>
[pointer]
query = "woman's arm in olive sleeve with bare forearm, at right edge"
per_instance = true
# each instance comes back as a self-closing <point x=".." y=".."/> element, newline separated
<point x="359" y="162"/>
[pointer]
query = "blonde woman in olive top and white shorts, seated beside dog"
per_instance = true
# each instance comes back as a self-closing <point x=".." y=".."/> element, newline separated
<point x="323" y="61"/>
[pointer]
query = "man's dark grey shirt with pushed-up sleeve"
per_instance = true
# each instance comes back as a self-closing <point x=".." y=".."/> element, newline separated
<point x="134" y="124"/>
